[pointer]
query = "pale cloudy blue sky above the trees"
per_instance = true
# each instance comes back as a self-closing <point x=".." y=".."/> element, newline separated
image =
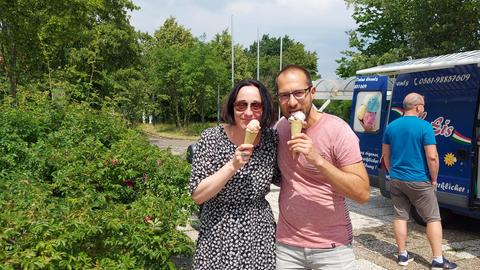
<point x="319" y="24"/>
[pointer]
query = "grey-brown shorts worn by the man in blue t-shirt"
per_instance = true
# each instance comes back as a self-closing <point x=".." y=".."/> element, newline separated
<point x="419" y="194"/>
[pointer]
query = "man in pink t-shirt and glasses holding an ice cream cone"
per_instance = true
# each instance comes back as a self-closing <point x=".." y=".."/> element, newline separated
<point x="320" y="167"/>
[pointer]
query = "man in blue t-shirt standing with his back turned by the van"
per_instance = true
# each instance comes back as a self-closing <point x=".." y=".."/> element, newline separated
<point x="410" y="155"/>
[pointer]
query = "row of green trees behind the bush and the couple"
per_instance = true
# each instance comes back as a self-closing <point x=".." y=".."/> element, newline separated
<point x="87" y="51"/>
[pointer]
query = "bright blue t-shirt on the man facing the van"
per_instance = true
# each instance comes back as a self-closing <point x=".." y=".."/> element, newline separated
<point x="407" y="136"/>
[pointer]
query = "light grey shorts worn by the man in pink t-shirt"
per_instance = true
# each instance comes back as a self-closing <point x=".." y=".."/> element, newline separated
<point x="338" y="258"/>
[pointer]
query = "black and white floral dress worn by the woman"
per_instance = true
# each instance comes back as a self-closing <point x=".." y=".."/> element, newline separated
<point x="237" y="228"/>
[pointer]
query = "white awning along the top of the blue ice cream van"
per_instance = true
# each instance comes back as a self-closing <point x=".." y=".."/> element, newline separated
<point x="428" y="63"/>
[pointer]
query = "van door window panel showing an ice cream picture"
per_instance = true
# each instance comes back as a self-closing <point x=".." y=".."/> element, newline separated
<point x="368" y="112"/>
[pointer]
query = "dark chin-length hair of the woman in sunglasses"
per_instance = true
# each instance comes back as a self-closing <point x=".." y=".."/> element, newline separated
<point x="268" y="117"/>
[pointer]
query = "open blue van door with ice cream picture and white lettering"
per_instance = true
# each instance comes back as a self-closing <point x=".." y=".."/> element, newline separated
<point x="367" y="119"/>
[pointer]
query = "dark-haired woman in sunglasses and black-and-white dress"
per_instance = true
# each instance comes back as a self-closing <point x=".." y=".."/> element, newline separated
<point x="231" y="180"/>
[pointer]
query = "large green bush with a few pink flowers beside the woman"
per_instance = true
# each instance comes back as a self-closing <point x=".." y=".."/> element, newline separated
<point x="79" y="189"/>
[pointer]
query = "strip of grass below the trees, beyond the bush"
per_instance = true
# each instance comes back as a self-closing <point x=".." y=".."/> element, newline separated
<point x="190" y="132"/>
